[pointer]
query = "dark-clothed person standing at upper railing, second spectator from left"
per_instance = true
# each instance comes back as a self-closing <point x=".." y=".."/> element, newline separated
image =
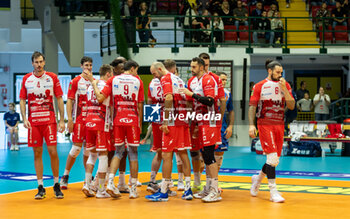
<point x="142" y="24"/>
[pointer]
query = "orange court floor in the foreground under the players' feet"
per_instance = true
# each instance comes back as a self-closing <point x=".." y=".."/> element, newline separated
<point x="236" y="203"/>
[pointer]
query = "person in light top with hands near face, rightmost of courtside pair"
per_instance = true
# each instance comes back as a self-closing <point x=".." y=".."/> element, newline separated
<point x="321" y="103"/>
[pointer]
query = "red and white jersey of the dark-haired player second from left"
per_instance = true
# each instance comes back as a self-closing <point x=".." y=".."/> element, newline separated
<point x="77" y="92"/>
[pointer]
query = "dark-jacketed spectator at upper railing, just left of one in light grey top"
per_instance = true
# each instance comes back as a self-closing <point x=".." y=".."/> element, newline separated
<point x="262" y="26"/>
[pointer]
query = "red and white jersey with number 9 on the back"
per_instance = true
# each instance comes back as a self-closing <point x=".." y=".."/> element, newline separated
<point x="127" y="92"/>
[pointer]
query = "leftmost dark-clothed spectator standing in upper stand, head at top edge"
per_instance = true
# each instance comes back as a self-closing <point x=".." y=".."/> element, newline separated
<point x="128" y="13"/>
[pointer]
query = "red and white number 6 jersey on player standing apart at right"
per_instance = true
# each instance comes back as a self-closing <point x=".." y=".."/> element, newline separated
<point x="269" y="99"/>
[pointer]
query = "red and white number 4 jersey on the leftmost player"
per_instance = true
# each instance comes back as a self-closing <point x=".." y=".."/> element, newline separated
<point x="39" y="91"/>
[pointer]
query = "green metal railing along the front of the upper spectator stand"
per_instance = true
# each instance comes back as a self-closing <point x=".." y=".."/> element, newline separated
<point x="323" y="34"/>
